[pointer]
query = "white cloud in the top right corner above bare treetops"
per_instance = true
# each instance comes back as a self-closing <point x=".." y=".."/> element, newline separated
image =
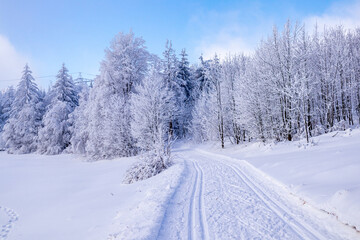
<point x="340" y="13"/>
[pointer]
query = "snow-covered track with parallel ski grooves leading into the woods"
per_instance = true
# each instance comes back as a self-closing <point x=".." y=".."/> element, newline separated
<point x="223" y="199"/>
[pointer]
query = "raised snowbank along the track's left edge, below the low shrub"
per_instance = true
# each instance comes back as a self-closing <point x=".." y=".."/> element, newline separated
<point x="144" y="219"/>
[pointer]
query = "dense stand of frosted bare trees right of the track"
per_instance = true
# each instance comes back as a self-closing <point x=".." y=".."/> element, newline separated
<point x="295" y="86"/>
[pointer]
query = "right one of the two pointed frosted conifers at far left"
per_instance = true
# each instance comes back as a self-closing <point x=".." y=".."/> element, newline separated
<point x="55" y="134"/>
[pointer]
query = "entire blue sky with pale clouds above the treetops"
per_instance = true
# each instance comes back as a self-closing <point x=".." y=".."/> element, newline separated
<point x="47" y="33"/>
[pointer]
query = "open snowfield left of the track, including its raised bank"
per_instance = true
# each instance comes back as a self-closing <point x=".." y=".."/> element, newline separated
<point x="65" y="197"/>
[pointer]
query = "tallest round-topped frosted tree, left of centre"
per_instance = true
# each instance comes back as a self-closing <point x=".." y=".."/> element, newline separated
<point x="109" y="109"/>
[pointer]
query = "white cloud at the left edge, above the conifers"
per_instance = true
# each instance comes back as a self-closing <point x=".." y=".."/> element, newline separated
<point x="11" y="63"/>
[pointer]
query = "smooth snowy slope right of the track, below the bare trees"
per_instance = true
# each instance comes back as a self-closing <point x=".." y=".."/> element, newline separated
<point x="324" y="174"/>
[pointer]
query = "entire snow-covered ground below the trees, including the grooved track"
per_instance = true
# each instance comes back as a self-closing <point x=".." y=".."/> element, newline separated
<point x="282" y="191"/>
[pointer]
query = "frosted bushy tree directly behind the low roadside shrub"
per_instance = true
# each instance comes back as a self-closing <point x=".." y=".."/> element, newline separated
<point x="151" y="107"/>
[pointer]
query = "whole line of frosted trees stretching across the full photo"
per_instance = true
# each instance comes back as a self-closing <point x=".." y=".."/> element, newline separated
<point x="296" y="85"/>
